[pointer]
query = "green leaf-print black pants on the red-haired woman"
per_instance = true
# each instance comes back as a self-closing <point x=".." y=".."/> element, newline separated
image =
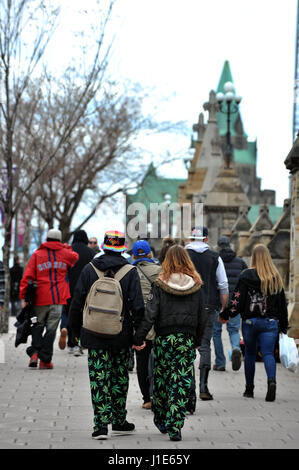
<point x="174" y="356"/>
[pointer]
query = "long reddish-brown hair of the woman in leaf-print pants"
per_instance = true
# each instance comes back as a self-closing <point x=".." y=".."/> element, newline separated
<point x="178" y="261"/>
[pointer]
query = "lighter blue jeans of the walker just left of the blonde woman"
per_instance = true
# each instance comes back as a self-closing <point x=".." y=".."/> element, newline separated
<point x="233" y="327"/>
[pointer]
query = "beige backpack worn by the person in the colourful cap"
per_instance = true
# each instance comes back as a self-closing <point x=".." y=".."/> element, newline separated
<point x="102" y="313"/>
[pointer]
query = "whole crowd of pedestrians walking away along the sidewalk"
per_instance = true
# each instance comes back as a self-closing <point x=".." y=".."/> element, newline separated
<point x="166" y="308"/>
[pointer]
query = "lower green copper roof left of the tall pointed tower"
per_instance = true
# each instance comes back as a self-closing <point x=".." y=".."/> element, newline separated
<point x="154" y="188"/>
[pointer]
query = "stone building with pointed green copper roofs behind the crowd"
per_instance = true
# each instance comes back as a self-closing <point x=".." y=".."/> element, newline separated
<point x="234" y="203"/>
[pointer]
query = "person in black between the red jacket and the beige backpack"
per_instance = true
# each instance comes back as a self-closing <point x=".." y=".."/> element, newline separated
<point x="86" y="254"/>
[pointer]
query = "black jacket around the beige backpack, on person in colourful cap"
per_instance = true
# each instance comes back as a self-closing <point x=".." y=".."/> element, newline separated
<point x="133" y="306"/>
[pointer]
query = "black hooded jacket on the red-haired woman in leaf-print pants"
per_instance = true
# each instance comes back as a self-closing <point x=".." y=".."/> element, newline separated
<point x="173" y="311"/>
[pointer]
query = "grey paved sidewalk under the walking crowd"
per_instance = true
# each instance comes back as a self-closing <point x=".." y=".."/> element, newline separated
<point x="52" y="409"/>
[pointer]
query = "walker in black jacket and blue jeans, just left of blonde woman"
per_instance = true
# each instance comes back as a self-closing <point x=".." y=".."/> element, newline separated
<point x="233" y="267"/>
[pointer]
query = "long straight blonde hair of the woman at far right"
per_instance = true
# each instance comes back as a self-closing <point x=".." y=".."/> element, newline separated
<point x="270" y="278"/>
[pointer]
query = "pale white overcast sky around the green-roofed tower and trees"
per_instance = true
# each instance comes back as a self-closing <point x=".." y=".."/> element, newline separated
<point x="177" y="49"/>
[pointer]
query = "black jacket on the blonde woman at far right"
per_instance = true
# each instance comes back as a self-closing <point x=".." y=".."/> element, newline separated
<point x="250" y="302"/>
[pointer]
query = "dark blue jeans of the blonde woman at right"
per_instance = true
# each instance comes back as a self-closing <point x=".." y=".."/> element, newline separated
<point x="261" y="332"/>
